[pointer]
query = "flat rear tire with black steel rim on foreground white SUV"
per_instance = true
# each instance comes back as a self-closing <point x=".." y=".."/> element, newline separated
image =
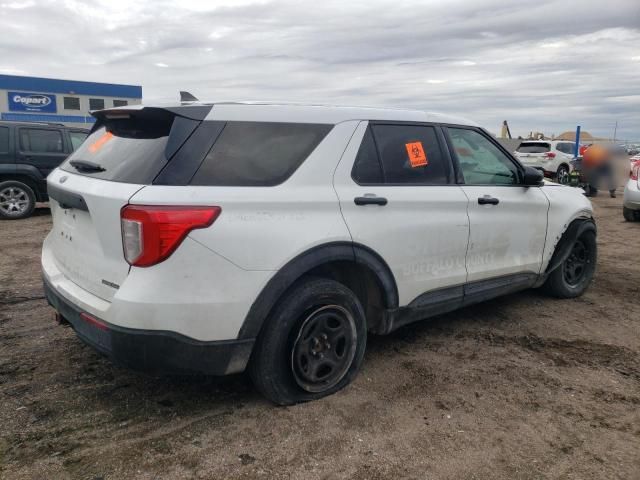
<point x="317" y="321"/>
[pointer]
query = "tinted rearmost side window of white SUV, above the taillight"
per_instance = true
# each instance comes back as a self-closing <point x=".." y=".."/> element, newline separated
<point x="258" y="153"/>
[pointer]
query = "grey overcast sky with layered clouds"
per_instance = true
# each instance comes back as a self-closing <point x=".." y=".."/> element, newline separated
<point x="542" y="65"/>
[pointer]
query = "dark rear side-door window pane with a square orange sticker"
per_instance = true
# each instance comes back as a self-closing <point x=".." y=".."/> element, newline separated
<point x="411" y="154"/>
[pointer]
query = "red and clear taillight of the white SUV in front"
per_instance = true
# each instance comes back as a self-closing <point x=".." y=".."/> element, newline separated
<point x="150" y="233"/>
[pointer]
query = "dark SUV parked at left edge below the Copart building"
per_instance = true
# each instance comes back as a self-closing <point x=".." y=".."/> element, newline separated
<point x="28" y="153"/>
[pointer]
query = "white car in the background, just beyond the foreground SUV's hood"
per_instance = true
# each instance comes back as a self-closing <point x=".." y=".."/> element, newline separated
<point x="553" y="157"/>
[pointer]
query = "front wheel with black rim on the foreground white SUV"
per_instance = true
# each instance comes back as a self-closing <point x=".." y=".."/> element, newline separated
<point x="572" y="278"/>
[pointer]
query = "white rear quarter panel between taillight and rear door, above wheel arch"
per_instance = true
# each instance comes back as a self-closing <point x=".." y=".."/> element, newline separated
<point x="262" y="228"/>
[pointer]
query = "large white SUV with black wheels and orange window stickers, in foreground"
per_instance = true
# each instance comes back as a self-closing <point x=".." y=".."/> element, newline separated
<point x="213" y="238"/>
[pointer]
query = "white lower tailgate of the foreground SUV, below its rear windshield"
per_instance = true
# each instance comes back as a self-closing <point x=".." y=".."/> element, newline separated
<point x="86" y="239"/>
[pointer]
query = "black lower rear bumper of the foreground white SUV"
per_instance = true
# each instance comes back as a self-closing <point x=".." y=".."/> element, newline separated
<point x="152" y="350"/>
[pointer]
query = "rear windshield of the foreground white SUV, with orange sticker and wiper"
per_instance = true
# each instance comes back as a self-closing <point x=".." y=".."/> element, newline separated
<point x="128" y="150"/>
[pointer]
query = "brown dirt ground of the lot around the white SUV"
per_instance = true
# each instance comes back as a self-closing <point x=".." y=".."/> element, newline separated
<point x="522" y="387"/>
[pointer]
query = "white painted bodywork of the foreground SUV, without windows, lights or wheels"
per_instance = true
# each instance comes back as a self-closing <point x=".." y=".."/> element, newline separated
<point x="430" y="236"/>
